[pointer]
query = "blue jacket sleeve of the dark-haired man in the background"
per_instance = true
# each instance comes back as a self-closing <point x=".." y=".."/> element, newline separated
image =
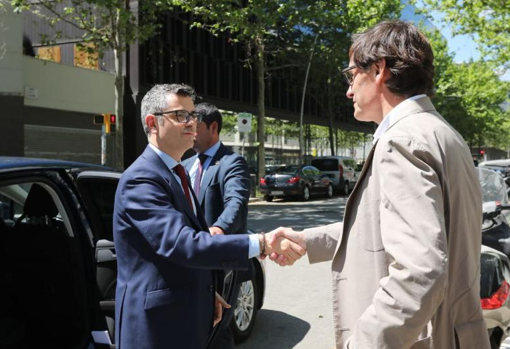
<point x="236" y="195"/>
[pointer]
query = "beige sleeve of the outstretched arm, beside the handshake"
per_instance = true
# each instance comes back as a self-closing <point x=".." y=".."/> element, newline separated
<point x="321" y="242"/>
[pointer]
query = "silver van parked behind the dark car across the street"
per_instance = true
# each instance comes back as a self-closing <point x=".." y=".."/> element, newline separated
<point x="340" y="169"/>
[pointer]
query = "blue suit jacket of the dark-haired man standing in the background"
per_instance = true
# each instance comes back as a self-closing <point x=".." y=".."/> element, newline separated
<point x="225" y="191"/>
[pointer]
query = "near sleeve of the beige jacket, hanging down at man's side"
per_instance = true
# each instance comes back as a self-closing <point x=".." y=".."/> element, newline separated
<point x="412" y="221"/>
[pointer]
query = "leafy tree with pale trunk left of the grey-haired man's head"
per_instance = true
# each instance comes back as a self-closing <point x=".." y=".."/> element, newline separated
<point x="106" y="24"/>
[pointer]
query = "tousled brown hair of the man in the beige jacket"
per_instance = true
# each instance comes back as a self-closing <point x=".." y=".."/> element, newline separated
<point x="407" y="52"/>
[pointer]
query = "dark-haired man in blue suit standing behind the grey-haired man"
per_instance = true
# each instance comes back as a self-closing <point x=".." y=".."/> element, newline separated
<point x="221" y="181"/>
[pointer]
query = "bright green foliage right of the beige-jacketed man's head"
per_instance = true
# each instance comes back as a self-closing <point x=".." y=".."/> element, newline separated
<point x="469" y="96"/>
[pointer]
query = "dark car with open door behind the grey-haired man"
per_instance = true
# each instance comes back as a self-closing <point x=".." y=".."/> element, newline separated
<point x="58" y="266"/>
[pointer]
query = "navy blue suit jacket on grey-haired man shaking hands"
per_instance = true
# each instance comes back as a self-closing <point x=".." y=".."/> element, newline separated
<point x="166" y="260"/>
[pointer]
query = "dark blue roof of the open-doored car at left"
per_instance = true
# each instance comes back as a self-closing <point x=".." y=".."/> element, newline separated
<point x="15" y="163"/>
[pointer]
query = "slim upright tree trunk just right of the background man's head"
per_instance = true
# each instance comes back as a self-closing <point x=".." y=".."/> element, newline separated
<point x="260" y="66"/>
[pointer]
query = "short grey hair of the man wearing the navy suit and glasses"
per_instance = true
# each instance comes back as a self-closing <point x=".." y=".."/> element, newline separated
<point x="155" y="100"/>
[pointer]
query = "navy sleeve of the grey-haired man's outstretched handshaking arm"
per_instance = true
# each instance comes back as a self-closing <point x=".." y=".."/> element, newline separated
<point x="147" y="207"/>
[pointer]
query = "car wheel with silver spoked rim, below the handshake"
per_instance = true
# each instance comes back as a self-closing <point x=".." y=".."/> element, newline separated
<point x="245" y="311"/>
